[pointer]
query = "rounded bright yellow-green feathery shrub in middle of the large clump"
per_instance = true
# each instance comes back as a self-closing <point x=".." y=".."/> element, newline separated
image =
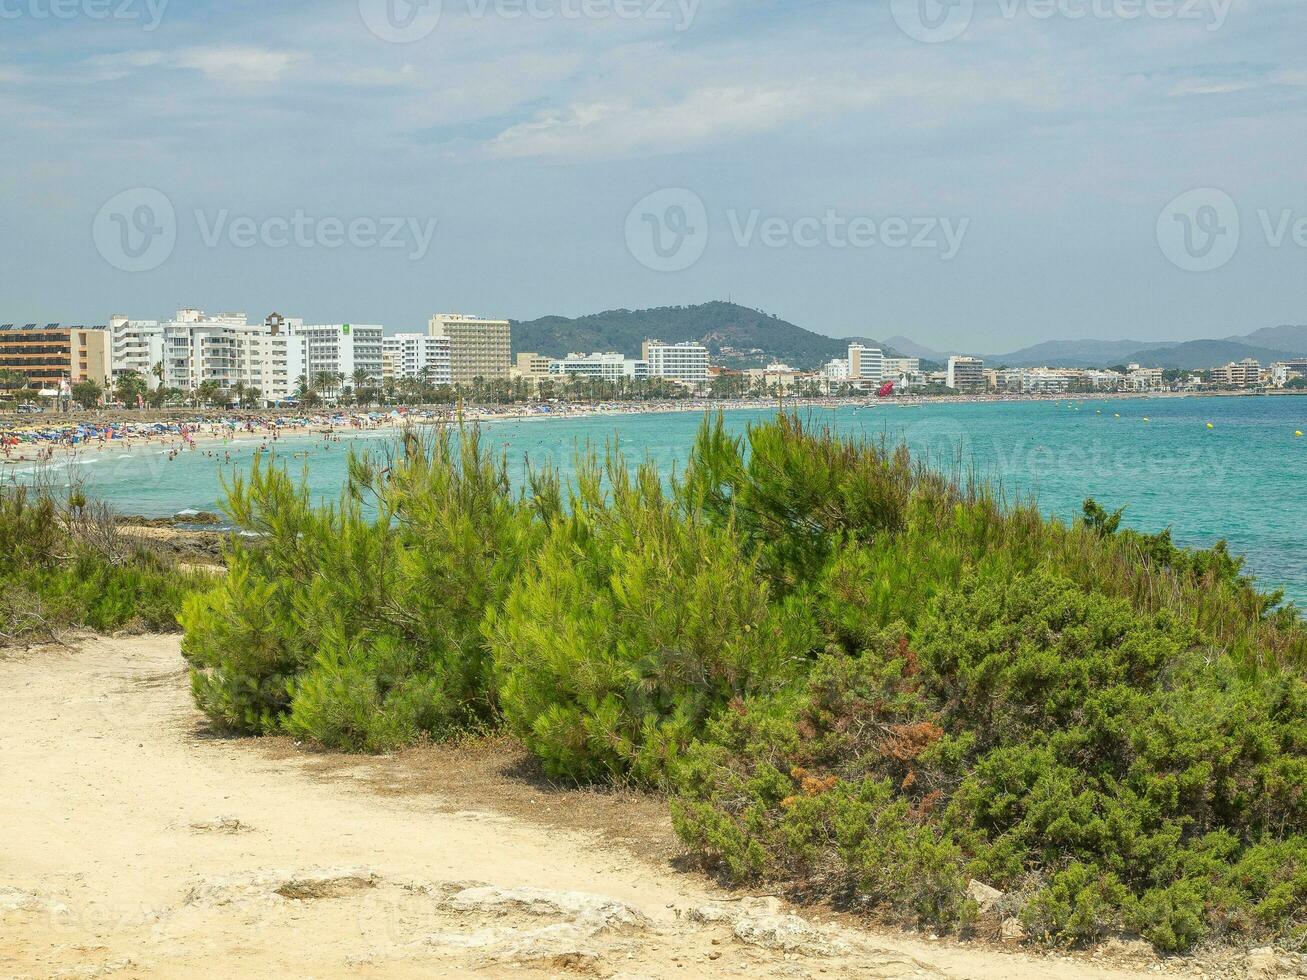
<point x="637" y="624"/>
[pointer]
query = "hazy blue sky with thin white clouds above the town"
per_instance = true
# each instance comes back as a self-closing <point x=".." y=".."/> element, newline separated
<point x="972" y="174"/>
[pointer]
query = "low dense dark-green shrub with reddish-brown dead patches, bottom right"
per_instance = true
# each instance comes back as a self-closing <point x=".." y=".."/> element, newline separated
<point x="1049" y="742"/>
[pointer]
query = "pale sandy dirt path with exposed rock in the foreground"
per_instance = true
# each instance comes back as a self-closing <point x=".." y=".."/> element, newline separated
<point x="133" y="845"/>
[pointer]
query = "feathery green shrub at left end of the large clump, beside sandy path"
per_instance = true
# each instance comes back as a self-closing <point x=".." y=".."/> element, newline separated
<point x="359" y="625"/>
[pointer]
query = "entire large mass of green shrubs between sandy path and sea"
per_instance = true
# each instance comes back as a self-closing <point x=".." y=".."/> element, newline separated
<point x="855" y="676"/>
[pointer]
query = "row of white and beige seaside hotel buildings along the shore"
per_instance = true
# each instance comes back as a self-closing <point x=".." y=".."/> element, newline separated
<point x="199" y="360"/>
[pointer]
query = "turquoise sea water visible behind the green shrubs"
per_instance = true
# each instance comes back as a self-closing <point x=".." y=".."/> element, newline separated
<point x="1245" y="479"/>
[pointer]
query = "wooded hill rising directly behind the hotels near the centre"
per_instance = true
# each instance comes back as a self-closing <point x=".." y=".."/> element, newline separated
<point x="735" y="335"/>
